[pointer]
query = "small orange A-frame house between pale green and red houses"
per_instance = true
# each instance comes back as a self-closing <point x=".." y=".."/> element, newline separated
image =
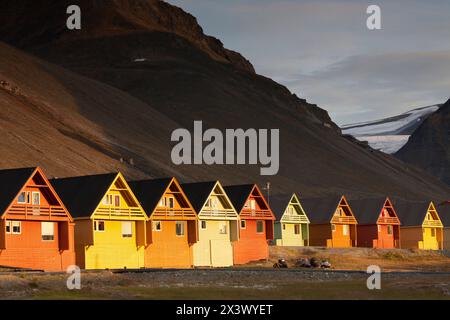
<point x="332" y="224"/>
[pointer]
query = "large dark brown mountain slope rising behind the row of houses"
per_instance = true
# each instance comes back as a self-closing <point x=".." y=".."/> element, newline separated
<point x="148" y="82"/>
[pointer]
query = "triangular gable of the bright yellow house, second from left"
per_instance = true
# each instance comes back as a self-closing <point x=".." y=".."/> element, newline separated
<point x="135" y="211"/>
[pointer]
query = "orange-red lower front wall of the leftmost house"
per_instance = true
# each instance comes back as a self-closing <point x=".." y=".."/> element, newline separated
<point x="27" y="250"/>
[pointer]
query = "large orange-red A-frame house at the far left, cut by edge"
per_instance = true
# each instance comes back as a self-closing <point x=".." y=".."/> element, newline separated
<point x="37" y="231"/>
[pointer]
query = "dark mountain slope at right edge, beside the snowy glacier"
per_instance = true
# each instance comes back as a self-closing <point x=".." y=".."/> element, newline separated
<point x="429" y="146"/>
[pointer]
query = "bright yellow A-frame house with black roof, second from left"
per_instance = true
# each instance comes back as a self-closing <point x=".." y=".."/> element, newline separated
<point x="110" y="229"/>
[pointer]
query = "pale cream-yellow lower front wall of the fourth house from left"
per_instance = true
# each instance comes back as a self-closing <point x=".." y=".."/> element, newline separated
<point x="213" y="249"/>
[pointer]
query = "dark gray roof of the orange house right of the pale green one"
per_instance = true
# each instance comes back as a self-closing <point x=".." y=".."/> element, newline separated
<point x="321" y="210"/>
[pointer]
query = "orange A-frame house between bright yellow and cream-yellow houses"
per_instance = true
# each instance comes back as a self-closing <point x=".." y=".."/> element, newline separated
<point x="171" y="225"/>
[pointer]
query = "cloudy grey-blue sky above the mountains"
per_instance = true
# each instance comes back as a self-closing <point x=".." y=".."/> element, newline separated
<point x="323" y="51"/>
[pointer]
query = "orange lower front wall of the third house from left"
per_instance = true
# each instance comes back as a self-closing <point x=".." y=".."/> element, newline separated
<point x="167" y="250"/>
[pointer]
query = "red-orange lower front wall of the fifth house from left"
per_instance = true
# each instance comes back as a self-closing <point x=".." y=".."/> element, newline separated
<point x="252" y="246"/>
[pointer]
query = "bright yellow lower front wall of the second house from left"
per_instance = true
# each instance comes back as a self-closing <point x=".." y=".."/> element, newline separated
<point x="112" y="251"/>
